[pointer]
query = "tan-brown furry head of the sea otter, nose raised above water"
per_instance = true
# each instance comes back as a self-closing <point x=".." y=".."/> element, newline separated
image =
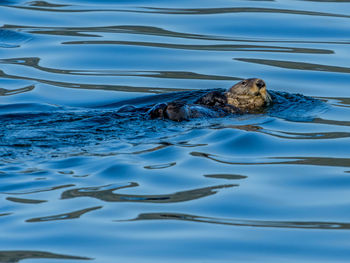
<point x="249" y="95"/>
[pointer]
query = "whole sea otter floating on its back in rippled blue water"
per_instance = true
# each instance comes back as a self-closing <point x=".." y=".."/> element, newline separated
<point x="247" y="96"/>
